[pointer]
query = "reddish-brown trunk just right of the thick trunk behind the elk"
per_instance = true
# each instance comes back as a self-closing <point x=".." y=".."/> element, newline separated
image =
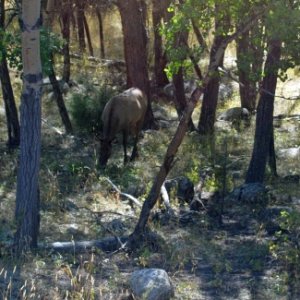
<point x="159" y="10"/>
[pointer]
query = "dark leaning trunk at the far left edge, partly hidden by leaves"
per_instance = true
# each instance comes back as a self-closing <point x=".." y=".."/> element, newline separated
<point x="12" y="120"/>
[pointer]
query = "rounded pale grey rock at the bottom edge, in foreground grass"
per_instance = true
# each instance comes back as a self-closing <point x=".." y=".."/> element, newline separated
<point x="151" y="284"/>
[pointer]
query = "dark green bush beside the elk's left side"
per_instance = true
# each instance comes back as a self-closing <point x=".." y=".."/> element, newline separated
<point x="86" y="108"/>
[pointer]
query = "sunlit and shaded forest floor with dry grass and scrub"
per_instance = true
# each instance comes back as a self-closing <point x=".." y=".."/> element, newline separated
<point x="242" y="258"/>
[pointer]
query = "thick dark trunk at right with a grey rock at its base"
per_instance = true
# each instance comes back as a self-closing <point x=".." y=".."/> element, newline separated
<point x="264" y="136"/>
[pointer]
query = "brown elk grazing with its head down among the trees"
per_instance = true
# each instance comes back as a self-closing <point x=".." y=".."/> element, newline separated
<point x="123" y="113"/>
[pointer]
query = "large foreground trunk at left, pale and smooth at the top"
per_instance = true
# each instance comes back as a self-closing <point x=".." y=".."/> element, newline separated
<point x="27" y="198"/>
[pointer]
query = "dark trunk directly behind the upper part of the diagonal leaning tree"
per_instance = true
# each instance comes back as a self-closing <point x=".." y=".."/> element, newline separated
<point x="211" y="92"/>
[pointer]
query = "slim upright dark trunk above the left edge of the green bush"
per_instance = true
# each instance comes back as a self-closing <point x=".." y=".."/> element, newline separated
<point x="65" y="20"/>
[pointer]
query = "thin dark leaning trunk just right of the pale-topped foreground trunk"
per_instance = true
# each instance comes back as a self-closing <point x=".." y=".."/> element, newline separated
<point x="51" y="72"/>
